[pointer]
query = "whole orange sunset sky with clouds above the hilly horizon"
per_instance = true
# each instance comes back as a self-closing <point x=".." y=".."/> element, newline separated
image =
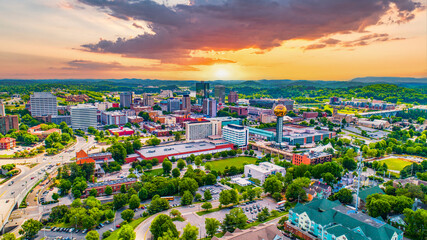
<point x="213" y="39"/>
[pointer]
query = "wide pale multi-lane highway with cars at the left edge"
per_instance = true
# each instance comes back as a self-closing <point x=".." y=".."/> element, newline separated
<point x="11" y="194"/>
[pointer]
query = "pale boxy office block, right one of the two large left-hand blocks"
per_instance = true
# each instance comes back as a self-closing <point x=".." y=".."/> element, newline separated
<point x="83" y="116"/>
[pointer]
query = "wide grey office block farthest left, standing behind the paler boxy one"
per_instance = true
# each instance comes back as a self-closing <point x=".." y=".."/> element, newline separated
<point x="43" y="104"/>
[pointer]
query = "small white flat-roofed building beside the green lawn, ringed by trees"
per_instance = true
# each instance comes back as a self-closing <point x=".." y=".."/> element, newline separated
<point x="263" y="170"/>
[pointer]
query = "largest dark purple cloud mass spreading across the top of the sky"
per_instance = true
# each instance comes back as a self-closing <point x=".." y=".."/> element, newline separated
<point x="228" y="25"/>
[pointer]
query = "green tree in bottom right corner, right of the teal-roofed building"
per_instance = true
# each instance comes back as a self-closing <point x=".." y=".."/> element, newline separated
<point x="416" y="223"/>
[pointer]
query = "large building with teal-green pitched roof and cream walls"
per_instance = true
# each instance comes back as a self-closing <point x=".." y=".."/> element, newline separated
<point x="330" y="220"/>
